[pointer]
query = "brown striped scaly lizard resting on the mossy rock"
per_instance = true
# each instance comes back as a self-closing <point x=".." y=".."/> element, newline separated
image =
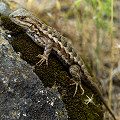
<point x="50" y="39"/>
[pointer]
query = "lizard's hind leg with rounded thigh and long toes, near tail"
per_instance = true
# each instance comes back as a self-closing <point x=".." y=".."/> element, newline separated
<point x="76" y="74"/>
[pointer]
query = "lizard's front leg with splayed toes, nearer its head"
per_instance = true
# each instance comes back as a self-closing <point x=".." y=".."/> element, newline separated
<point x="47" y="51"/>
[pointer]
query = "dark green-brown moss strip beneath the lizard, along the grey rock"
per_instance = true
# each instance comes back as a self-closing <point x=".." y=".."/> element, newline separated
<point x="54" y="72"/>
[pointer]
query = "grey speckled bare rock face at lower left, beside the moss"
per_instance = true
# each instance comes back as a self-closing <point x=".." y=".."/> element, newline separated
<point x="22" y="94"/>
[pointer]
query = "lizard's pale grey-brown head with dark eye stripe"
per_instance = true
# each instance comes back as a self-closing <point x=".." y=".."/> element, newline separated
<point x="22" y="18"/>
